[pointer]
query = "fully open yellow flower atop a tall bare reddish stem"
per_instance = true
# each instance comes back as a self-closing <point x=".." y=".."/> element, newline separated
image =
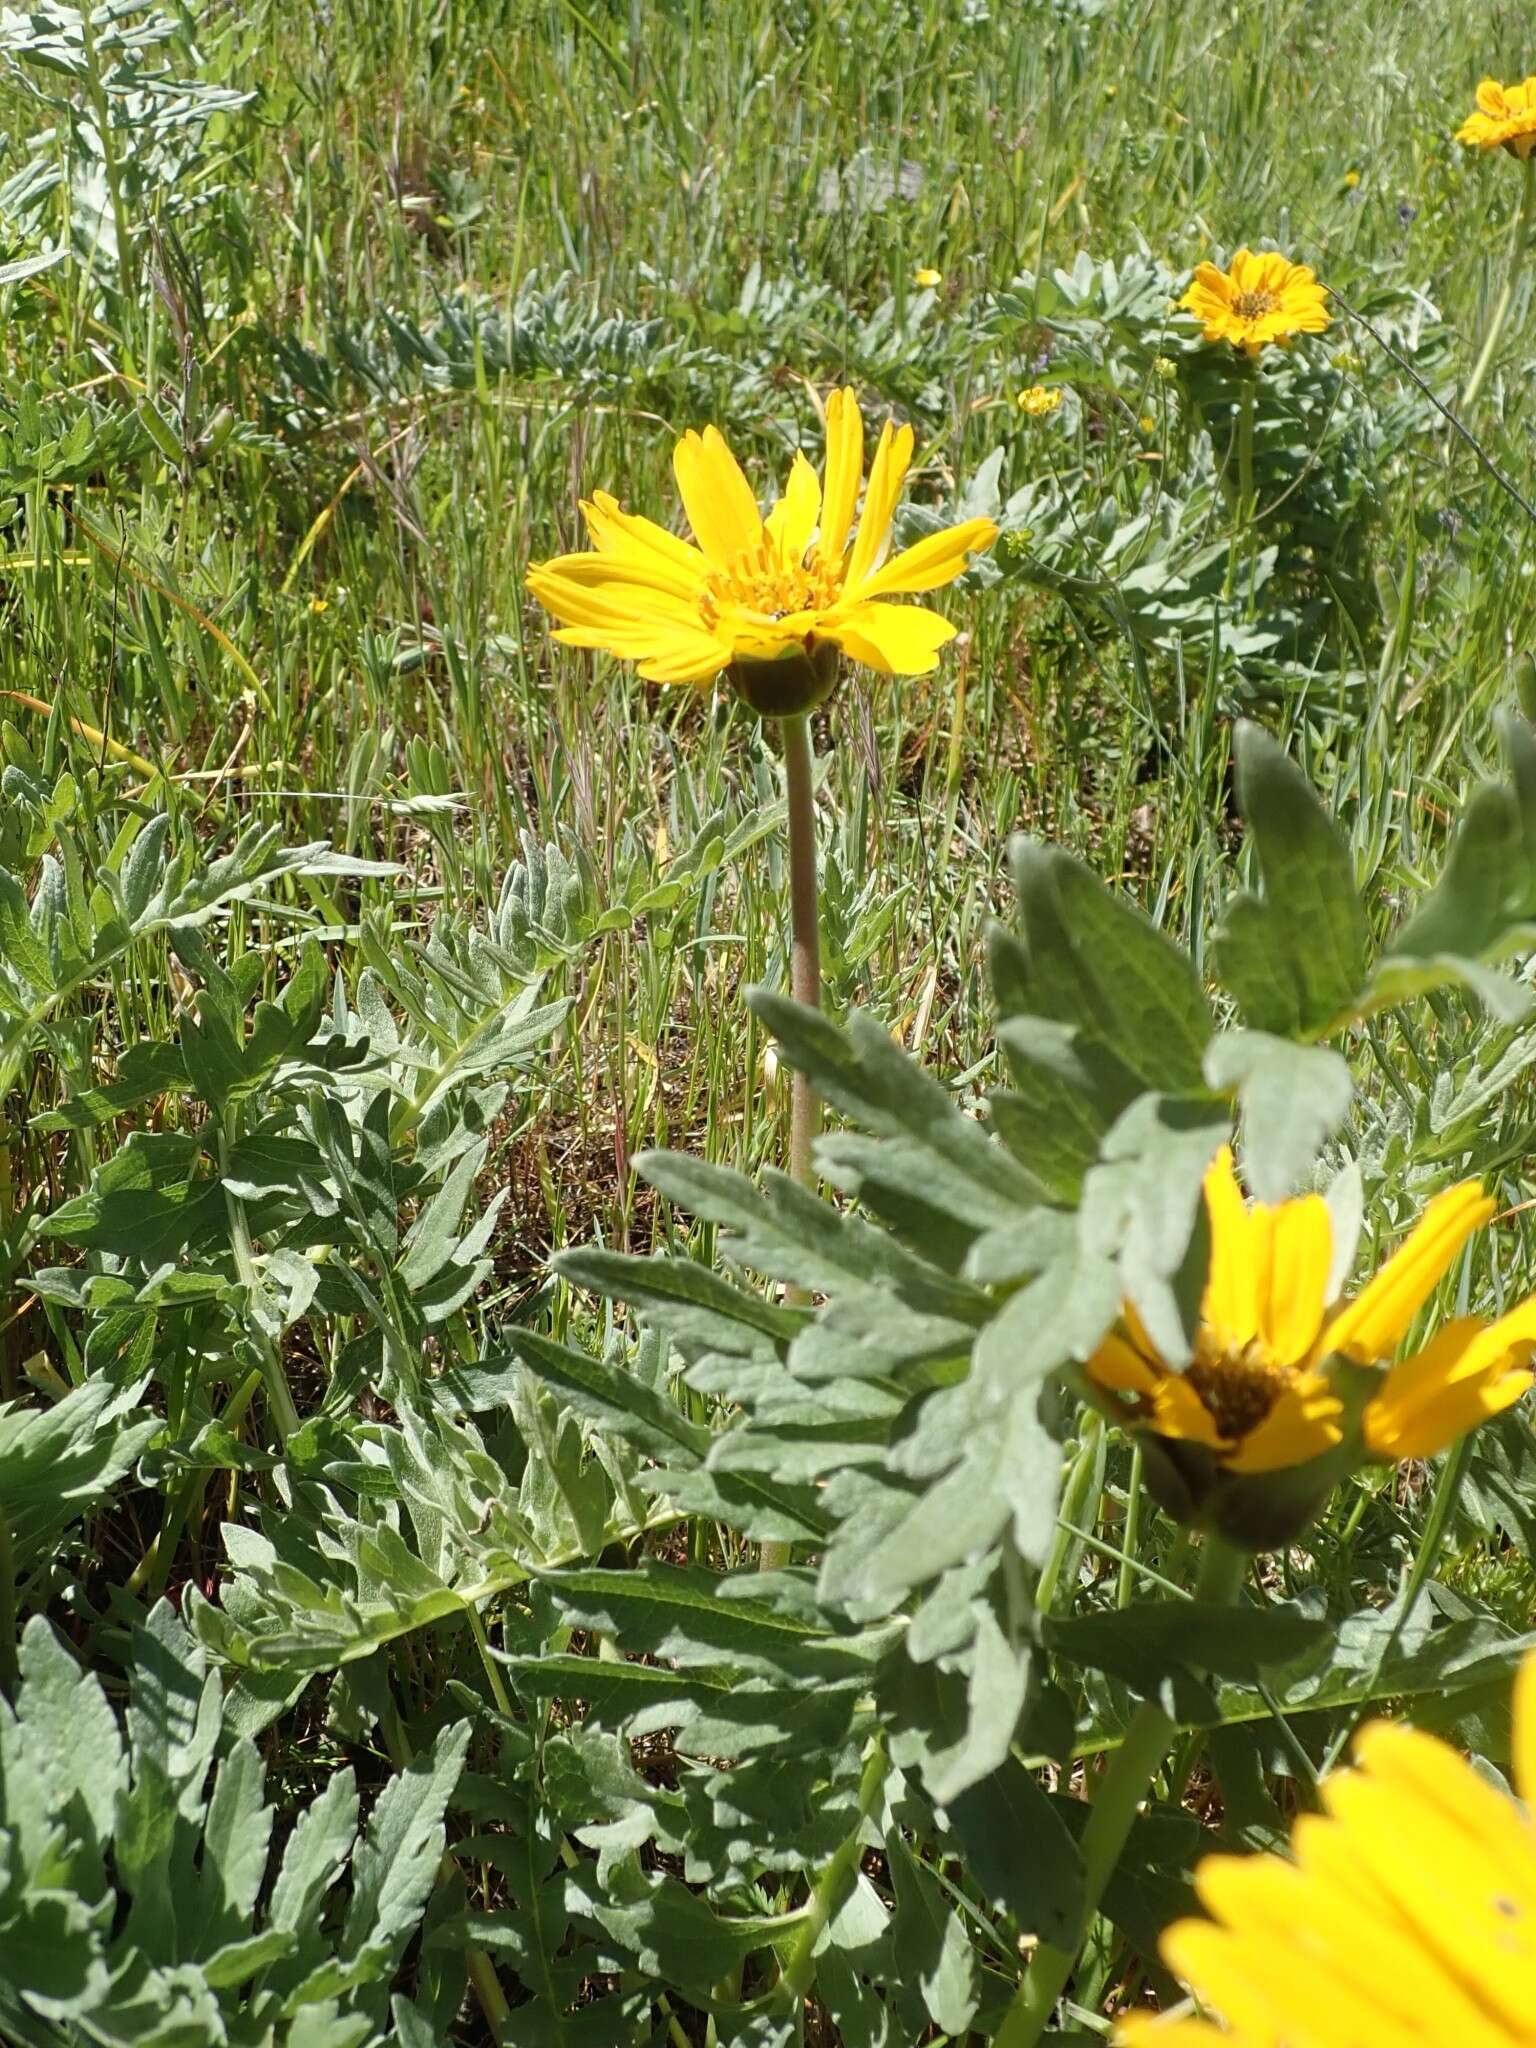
<point x="759" y="595"/>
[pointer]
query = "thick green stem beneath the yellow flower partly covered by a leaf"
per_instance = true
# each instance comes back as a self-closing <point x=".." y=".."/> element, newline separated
<point x="1109" y="1824"/>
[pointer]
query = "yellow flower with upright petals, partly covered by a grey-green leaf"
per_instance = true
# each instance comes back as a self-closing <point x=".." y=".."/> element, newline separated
<point x="1261" y="1392"/>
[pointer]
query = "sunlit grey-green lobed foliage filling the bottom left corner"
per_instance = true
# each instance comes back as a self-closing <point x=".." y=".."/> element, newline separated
<point x="136" y="1900"/>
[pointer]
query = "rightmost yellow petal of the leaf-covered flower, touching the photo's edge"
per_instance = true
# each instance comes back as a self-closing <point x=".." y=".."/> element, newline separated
<point x="1467" y="1373"/>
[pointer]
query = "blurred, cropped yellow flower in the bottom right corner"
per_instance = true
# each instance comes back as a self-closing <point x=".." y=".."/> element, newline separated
<point x="1404" y="1916"/>
